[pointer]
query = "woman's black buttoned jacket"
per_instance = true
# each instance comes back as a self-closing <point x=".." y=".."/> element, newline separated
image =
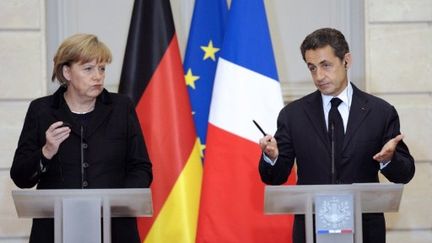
<point x="115" y="155"/>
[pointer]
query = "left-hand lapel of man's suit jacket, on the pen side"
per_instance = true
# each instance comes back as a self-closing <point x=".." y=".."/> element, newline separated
<point x="315" y="113"/>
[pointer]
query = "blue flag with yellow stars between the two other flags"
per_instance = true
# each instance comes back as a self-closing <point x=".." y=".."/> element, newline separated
<point x="202" y="52"/>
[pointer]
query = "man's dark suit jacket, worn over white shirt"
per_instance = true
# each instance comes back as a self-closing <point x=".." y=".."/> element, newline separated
<point x="302" y="137"/>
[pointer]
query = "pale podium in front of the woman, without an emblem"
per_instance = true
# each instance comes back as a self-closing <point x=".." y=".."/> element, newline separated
<point x="76" y="210"/>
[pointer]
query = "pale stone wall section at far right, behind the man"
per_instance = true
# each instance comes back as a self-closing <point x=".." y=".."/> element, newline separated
<point x="398" y="68"/>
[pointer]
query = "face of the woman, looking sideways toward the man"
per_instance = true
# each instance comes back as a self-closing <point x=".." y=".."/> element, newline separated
<point x="85" y="79"/>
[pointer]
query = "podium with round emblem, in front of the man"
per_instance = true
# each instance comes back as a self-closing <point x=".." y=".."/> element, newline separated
<point x="334" y="206"/>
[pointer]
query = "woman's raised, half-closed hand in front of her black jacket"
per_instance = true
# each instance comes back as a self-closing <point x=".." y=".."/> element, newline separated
<point x="55" y="135"/>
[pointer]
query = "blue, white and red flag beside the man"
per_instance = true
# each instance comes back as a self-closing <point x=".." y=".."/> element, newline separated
<point x="246" y="88"/>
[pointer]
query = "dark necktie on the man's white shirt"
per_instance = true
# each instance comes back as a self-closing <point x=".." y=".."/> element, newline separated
<point x="336" y="135"/>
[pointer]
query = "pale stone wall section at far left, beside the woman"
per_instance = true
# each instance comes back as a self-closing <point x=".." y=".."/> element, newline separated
<point x="22" y="78"/>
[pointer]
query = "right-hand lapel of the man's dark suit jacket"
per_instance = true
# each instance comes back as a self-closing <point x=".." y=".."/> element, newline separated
<point x="358" y="112"/>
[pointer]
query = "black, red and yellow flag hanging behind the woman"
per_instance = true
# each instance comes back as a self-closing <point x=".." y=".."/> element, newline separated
<point x="152" y="76"/>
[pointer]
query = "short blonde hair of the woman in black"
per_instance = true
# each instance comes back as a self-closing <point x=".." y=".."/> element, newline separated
<point x="79" y="48"/>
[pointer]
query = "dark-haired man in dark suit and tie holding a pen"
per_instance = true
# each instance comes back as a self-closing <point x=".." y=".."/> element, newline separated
<point x="370" y="139"/>
